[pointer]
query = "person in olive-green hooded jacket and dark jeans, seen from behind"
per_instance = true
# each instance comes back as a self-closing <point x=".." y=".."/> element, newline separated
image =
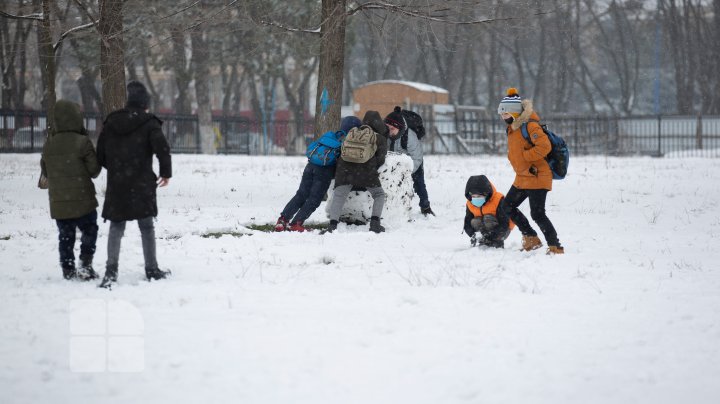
<point x="69" y="162"/>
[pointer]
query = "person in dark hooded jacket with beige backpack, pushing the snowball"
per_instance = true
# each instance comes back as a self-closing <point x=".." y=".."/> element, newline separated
<point x="362" y="175"/>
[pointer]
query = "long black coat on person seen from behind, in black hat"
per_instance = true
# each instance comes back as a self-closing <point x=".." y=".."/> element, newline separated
<point x="126" y="145"/>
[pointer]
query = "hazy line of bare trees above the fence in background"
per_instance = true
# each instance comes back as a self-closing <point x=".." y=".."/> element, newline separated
<point x="576" y="57"/>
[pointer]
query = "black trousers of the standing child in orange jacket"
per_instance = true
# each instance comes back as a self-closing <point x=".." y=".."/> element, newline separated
<point x="515" y="197"/>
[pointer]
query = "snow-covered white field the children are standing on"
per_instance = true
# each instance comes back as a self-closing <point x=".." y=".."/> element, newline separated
<point x="630" y="314"/>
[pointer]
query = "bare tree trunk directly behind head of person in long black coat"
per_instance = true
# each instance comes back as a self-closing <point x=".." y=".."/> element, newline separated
<point x="112" y="66"/>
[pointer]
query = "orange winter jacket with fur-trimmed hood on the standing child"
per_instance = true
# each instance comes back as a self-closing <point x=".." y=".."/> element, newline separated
<point x="528" y="161"/>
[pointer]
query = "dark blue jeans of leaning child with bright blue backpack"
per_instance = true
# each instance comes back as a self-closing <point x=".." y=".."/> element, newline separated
<point x="313" y="186"/>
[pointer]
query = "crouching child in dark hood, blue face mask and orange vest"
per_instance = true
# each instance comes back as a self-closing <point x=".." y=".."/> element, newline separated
<point x="484" y="214"/>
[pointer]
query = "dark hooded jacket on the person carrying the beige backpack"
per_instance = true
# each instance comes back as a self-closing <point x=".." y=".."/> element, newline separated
<point x="365" y="175"/>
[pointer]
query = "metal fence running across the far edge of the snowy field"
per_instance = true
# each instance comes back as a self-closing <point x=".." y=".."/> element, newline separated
<point x="24" y="131"/>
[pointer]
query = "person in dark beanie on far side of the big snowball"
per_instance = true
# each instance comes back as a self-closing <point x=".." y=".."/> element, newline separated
<point x="407" y="141"/>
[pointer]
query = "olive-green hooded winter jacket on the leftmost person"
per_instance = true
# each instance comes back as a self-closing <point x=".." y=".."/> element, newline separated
<point x="69" y="162"/>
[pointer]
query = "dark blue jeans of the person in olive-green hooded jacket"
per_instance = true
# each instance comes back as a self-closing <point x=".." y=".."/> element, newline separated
<point x="67" y="228"/>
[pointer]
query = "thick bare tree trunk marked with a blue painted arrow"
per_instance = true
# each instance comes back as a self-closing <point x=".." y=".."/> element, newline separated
<point x="332" y="58"/>
